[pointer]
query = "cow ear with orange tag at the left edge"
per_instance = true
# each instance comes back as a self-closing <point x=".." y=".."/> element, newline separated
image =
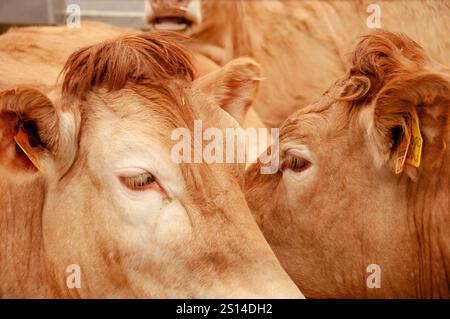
<point x="34" y="135"/>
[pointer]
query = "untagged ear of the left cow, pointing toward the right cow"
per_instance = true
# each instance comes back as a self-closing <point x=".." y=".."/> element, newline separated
<point x="234" y="86"/>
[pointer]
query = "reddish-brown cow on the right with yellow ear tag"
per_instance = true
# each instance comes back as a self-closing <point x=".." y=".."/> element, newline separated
<point x="360" y="205"/>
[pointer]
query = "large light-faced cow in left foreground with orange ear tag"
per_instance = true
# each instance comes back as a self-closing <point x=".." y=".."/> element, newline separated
<point x="89" y="187"/>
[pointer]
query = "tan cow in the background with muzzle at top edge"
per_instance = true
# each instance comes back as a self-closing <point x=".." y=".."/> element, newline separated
<point x="301" y="45"/>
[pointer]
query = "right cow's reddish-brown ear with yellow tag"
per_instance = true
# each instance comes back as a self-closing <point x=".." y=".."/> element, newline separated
<point x="411" y="121"/>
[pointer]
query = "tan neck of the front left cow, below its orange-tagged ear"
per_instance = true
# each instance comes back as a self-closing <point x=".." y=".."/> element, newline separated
<point x="22" y="264"/>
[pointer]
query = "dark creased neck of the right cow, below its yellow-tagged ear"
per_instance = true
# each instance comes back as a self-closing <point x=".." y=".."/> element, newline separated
<point x="429" y="209"/>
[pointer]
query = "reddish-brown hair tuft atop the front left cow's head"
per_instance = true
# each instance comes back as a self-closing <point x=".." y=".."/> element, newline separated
<point x="148" y="57"/>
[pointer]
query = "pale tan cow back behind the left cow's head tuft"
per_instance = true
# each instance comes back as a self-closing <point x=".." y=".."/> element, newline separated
<point x="43" y="50"/>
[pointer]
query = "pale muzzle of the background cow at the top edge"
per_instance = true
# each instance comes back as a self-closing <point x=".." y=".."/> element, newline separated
<point x="173" y="15"/>
